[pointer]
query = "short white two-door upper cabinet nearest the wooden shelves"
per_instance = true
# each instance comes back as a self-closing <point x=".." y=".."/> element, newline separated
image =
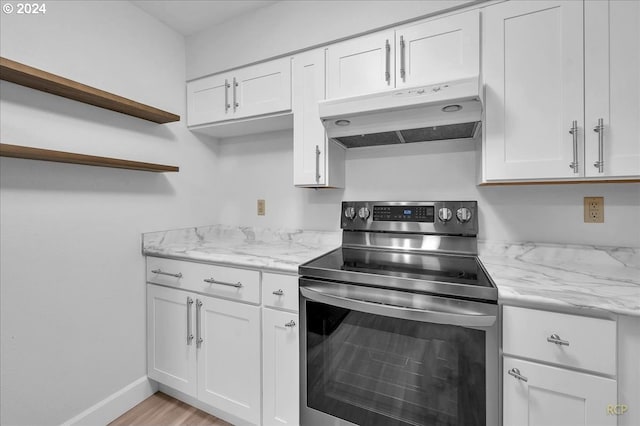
<point x="247" y="92"/>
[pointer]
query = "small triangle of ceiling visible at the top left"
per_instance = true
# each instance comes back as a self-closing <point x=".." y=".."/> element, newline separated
<point x="191" y="16"/>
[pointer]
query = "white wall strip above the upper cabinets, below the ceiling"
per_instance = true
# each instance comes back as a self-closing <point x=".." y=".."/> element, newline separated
<point x="290" y="25"/>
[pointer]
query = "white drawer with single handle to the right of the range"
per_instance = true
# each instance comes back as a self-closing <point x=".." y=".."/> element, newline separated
<point x="568" y="340"/>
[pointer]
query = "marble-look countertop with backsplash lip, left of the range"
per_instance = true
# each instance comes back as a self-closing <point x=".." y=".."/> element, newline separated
<point x="279" y="250"/>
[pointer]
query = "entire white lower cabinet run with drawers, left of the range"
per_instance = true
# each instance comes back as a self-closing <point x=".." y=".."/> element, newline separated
<point x="225" y="338"/>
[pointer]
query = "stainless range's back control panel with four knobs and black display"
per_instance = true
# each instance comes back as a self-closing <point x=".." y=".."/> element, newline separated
<point x="428" y="217"/>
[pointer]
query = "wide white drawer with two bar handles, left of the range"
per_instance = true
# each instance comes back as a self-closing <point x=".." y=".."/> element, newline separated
<point x="222" y="281"/>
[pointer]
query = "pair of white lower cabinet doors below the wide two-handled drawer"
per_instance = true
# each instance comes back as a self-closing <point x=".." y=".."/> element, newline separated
<point x="207" y="348"/>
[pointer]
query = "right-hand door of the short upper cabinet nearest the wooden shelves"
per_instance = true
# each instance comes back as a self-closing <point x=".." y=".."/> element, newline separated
<point x="262" y="89"/>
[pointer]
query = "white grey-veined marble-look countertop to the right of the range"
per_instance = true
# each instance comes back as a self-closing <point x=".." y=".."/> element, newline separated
<point x="565" y="276"/>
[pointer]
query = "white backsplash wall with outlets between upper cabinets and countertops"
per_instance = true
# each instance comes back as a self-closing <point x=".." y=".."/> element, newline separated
<point x="260" y="167"/>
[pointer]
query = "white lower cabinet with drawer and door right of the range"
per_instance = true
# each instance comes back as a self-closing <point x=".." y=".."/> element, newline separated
<point x="558" y="369"/>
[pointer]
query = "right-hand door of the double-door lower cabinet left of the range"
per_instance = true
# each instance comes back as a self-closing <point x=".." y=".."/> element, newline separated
<point x="229" y="357"/>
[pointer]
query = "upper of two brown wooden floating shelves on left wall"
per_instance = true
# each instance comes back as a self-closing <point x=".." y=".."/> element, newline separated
<point x="34" y="78"/>
